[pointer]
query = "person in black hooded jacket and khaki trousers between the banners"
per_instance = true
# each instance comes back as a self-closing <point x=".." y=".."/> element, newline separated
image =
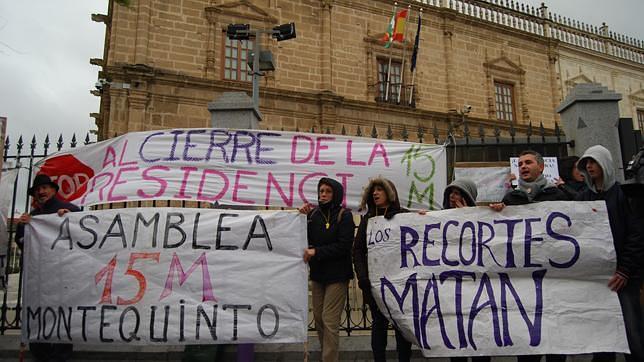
<point x="330" y="236"/>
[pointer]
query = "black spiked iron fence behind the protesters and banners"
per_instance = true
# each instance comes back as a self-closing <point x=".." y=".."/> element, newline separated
<point x="463" y="146"/>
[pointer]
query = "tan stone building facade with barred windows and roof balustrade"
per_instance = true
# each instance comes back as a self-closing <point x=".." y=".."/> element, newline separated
<point x="512" y="64"/>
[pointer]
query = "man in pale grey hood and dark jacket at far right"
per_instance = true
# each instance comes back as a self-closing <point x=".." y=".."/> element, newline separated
<point x="597" y="167"/>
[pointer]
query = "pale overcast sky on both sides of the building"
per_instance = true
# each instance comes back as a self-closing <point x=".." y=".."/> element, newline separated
<point x="45" y="47"/>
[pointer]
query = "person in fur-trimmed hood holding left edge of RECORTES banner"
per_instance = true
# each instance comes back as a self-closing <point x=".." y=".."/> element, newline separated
<point x="380" y="198"/>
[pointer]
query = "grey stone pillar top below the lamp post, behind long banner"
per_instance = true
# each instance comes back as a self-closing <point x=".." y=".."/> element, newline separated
<point x="234" y="110"/>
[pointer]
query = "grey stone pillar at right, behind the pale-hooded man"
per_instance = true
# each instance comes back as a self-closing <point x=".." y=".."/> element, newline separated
<point x="590" y="116"/>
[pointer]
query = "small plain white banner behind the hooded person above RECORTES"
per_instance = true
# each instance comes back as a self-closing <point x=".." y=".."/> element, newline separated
<point x="492" y="182"/>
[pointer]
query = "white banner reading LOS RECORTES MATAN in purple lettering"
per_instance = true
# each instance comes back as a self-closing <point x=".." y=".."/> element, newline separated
<point x="473" y="282"/>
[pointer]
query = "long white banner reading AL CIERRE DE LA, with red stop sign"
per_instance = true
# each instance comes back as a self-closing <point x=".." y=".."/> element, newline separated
<point x="243" y="167"/>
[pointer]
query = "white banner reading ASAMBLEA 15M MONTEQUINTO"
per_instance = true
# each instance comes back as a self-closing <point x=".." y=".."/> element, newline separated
<point x="165" y="276"/>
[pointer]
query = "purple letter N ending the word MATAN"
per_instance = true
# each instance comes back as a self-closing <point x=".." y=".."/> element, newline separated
<point x="534" y="326"/>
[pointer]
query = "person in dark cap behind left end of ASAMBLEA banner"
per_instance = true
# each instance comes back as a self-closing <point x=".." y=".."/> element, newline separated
<point x="43" y="191"/>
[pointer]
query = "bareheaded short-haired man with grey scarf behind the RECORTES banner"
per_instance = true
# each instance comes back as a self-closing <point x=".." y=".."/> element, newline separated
<point x="533" y="187"/>
